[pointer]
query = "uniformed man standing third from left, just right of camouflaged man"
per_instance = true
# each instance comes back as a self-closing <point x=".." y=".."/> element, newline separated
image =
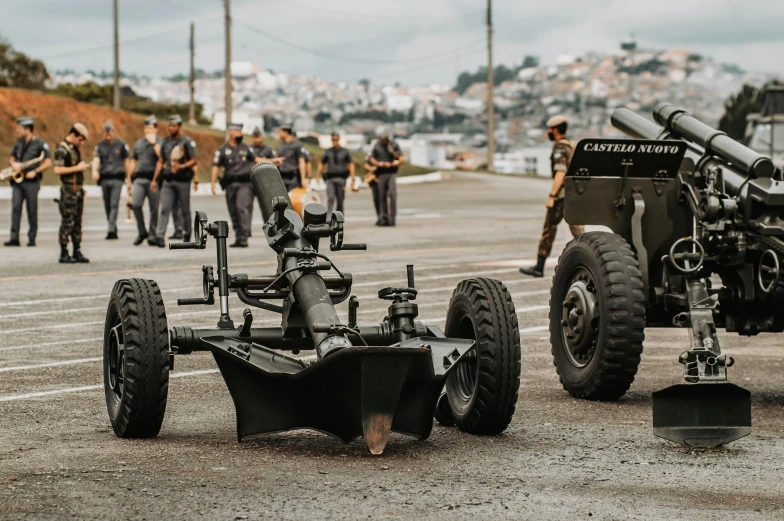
<point x="110" y="168"/>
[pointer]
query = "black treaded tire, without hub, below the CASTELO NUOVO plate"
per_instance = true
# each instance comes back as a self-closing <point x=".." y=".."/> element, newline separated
<point x="621" y="303"/>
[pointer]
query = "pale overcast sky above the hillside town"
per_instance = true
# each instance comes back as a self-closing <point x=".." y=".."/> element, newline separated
<point x="410" y="41"/>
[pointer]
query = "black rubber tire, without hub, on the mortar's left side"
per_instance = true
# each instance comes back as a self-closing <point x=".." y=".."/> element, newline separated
<point x="139" y="305"/>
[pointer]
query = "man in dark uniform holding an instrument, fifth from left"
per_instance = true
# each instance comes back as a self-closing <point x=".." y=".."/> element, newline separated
<point x="175" y="167"/>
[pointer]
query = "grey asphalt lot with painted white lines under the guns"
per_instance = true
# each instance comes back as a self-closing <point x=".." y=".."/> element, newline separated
<point x="560" y="458"/>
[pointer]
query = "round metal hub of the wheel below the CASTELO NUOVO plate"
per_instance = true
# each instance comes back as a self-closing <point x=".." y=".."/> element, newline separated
<point x="580" y="318"/>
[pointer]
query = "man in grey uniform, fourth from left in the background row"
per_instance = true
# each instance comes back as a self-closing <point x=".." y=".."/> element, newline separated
<point x="146" y="153"/>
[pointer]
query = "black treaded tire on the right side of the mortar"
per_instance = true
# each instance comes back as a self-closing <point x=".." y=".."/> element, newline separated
<point x="482" y="310"/>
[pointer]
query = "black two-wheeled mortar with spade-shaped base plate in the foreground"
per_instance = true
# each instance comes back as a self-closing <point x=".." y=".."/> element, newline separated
<point x="366" y="380"/>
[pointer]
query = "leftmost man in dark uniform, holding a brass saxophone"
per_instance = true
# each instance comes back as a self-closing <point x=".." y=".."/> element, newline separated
<point x="27" y="148"/>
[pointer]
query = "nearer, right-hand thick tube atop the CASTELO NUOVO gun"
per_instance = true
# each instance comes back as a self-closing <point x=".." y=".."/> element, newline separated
<point x="681" y="124"/>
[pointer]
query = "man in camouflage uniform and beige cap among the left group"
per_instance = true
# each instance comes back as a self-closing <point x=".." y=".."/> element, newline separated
<point x="70" y="168"/>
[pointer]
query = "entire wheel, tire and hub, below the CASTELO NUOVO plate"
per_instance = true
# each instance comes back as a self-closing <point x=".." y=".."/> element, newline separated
<point x="597" y="316"/>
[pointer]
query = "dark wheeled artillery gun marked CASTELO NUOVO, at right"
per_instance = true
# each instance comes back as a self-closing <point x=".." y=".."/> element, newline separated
<point x="689" y="207"/>
